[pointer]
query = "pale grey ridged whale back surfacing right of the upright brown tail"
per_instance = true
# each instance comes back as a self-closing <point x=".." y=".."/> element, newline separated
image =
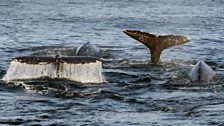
<point x="201" y="72"/>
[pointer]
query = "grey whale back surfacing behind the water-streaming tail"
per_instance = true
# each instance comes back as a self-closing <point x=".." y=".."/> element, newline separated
<point x="88" y="49"/>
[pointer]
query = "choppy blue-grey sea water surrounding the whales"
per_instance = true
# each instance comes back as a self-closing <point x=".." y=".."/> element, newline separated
<point x="136" y="93"/>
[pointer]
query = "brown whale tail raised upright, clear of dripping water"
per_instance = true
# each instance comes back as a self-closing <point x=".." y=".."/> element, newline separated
<point x="156" y="44"/>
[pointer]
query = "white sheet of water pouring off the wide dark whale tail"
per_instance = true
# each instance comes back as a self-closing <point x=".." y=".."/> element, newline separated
<point x="84" y="73"/>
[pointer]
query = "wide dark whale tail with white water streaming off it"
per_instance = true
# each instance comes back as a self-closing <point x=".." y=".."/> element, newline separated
<point x="76" y="68"/>
